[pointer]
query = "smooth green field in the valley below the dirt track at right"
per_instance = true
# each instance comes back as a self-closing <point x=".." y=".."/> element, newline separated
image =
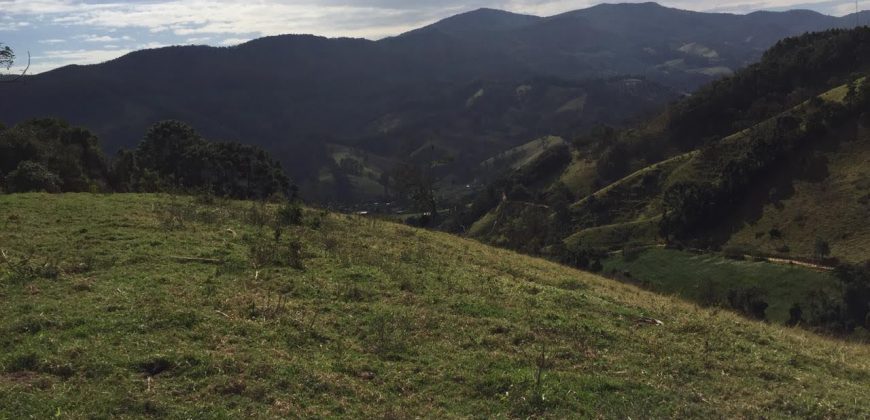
<point x="701" y="277"/>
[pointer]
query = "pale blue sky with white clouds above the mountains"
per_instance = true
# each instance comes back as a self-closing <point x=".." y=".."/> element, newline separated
<point x="61" y="32"/>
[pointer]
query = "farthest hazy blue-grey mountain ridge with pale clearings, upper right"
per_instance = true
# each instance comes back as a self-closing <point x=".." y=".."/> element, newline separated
<point x="679" y="48"/>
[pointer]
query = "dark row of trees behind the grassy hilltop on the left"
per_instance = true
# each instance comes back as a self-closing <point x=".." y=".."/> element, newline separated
<point x="50" y="155"/>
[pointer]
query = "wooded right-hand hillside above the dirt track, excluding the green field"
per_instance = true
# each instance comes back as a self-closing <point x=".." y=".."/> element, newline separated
<point x="812" y="83"/>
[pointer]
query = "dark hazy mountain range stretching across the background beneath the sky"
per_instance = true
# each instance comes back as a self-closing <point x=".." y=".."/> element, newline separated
<point x="303" y="97"/>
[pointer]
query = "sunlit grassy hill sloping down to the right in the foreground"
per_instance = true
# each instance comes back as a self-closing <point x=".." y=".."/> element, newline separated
<point x="149" y="305"/>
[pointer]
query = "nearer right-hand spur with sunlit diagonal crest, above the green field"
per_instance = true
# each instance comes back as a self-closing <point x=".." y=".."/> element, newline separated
<point x="801" y="174"/>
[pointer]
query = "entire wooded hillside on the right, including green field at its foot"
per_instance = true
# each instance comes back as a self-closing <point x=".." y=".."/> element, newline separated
<point x="768" y="165"/>
